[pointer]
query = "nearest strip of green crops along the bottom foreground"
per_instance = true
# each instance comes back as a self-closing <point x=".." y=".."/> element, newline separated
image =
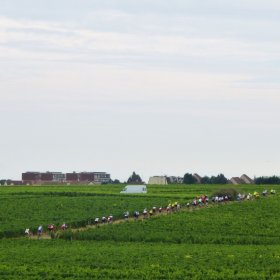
<point x="59" y="259"/>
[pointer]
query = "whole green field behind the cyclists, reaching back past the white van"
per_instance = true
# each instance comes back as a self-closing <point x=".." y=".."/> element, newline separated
<point x="22" y="207"/>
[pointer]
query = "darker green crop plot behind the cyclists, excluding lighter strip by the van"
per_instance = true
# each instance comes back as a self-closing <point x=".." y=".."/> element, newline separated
<point x="18" y="212"/>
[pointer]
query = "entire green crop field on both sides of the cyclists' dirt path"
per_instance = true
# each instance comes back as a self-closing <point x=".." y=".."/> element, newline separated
<point x="238" y="240"/>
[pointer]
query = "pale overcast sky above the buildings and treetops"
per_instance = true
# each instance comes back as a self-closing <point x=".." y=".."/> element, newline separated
<point x="152" y="86"/>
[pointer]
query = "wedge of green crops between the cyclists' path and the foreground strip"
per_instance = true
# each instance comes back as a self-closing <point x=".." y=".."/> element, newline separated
<point x="248" y="222"/>
